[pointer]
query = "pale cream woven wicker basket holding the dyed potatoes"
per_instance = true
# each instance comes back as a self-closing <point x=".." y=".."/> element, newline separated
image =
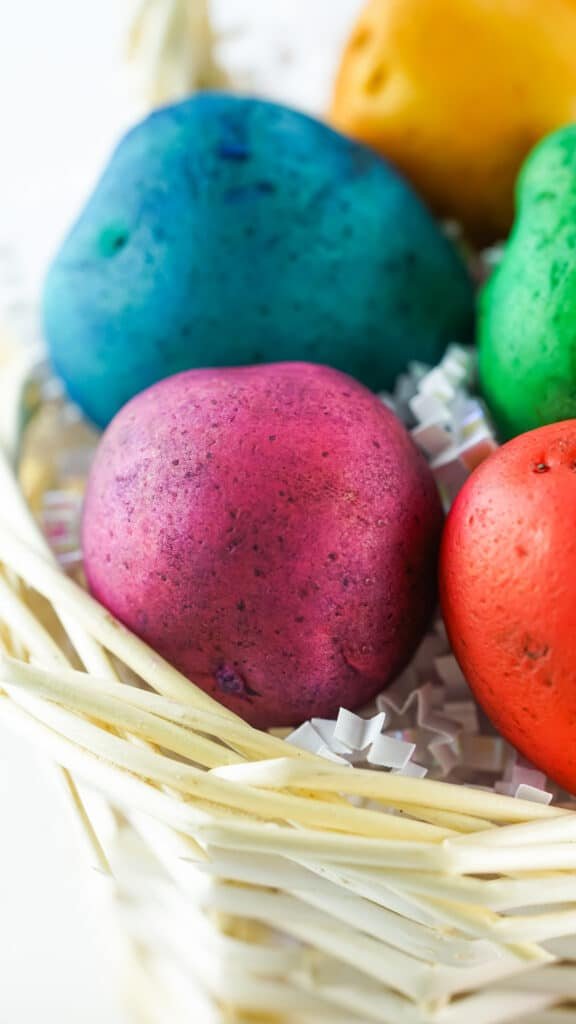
<point x="257" y="882"/>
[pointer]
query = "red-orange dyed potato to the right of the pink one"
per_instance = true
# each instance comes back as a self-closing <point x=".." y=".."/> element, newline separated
<point x="509" y="593"/>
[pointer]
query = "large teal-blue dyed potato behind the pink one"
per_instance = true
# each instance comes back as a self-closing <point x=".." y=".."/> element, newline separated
<point x="228" y="232"/>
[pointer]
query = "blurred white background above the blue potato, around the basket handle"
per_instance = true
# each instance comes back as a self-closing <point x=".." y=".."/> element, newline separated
<point x="67" y="93"/>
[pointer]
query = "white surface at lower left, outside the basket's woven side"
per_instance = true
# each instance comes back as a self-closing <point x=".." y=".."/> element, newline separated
<point x="57" y="931"/>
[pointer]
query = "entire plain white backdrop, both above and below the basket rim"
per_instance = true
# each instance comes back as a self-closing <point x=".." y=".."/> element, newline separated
<point x="64" y="101"/>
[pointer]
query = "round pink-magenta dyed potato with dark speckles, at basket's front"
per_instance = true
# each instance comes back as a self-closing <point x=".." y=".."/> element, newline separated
<point x="272" y="531"/>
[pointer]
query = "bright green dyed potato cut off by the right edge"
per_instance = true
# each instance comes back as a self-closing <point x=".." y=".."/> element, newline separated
<point x="527" y="329"/>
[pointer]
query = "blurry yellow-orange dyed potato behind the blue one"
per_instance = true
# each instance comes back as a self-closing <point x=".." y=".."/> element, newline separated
<point x="457" y="93"/>
